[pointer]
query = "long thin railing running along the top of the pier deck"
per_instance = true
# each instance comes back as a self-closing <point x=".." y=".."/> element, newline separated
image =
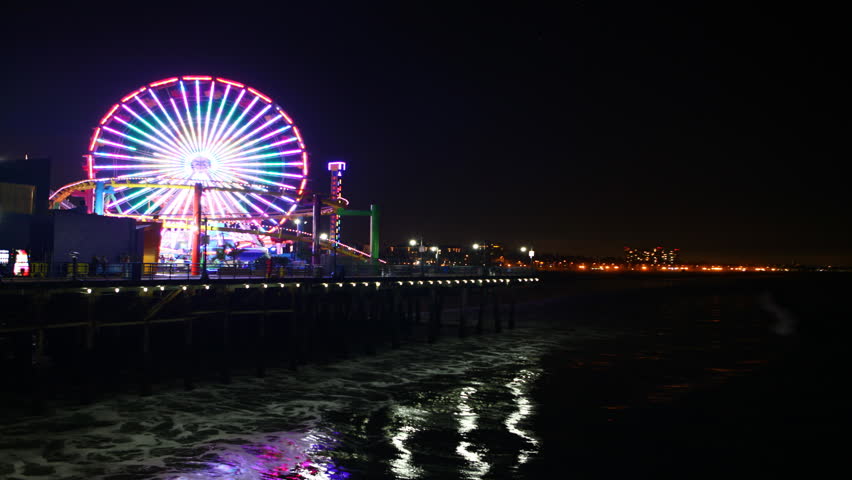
<point x="137" y="271"/>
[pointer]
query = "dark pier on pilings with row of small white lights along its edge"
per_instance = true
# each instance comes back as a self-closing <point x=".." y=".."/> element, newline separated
<point x="83" y="338"/>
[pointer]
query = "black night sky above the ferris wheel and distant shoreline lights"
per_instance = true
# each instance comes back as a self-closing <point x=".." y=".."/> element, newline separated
<point x="719" y="130"/>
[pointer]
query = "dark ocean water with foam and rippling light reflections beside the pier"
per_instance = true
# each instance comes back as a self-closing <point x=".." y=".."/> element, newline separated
<point x="580" y="384"/>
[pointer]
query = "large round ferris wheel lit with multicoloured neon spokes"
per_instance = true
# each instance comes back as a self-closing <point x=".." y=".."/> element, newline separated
<point x="179" y="132"/>
